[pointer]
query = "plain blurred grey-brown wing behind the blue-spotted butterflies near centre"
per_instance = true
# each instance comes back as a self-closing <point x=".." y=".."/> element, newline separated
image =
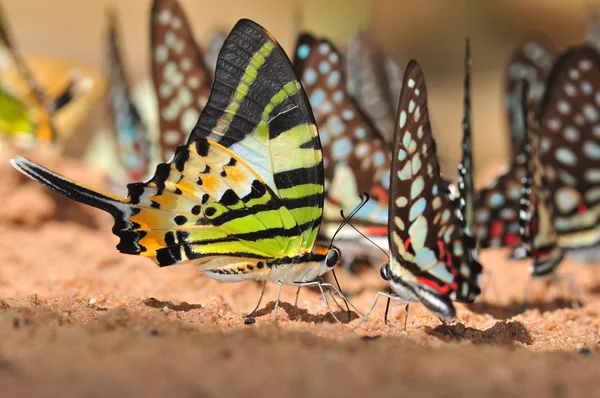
<point x="374" y="81"/>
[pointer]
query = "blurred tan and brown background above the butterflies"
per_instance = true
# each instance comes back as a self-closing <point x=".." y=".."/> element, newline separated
<point x="431" y="31"/>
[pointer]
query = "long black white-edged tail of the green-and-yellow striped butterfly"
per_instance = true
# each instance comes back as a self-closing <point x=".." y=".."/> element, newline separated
<point x="114" y="205"/>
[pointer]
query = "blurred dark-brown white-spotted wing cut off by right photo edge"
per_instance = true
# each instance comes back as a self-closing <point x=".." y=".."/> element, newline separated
<point x="569" y="118"/>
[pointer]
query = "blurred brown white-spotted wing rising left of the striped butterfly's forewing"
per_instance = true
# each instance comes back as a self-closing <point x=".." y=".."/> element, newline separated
<point x="181" y="78"/>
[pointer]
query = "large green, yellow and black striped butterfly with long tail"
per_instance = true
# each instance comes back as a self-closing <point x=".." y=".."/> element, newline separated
<point x="232" y="200"/>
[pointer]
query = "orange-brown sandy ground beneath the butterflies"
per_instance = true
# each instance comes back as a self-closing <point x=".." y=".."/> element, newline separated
<point x="83" y="320"/>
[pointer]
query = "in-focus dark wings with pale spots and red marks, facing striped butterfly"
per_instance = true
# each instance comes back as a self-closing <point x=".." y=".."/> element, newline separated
<point x="431" y="252"/>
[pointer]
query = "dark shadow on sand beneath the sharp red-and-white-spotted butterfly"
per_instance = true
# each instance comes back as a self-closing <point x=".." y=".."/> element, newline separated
<point x="502" y="333"/>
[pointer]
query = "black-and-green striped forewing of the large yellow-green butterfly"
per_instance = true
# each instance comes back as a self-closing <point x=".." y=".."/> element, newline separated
<point x="258" y="110"/>
